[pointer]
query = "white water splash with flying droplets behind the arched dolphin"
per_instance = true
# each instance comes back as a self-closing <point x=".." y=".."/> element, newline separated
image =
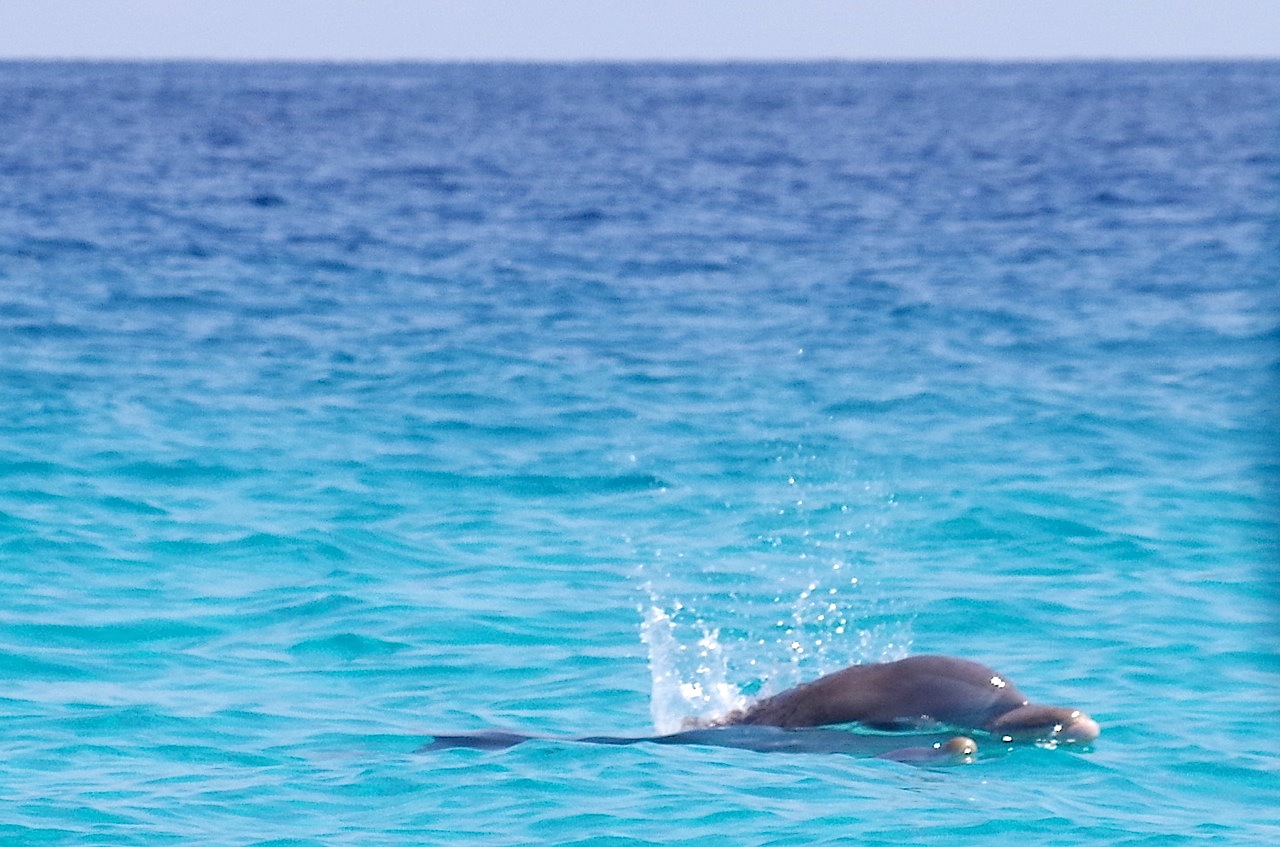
<point x="732" y="621"/>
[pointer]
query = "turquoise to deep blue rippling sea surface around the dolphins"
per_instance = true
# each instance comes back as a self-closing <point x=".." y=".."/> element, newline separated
<point x="348" y="405"/>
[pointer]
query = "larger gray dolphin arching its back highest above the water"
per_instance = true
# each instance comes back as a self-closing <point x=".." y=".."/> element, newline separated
<point x="918" y="692"/>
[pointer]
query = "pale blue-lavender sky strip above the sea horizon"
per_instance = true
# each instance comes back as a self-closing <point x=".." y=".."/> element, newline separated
<point x="632" y="30"/>
